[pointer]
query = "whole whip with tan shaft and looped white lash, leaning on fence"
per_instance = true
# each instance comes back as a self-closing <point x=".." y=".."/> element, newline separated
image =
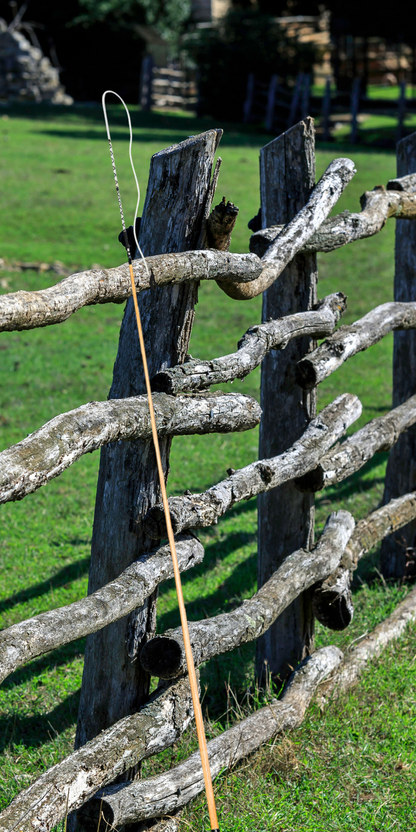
<point x="182" y="611"/>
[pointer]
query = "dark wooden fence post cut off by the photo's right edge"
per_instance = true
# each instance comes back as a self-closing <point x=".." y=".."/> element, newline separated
<point x="401" y="468"/>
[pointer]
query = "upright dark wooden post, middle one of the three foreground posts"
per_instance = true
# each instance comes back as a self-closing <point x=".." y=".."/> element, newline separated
<point x="286" y="517"/>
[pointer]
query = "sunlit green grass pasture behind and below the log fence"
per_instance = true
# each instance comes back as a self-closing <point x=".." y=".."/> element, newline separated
<point x="72" y="216"/>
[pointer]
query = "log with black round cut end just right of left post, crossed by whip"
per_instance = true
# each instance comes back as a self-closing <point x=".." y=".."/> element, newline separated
<point x="164" y="656"/>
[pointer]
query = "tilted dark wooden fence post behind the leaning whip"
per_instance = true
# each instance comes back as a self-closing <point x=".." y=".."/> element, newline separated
<point x="113" y="683"/>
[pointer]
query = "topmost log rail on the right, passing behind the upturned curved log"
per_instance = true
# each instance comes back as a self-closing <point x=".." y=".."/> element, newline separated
<point x="377" y="207"/>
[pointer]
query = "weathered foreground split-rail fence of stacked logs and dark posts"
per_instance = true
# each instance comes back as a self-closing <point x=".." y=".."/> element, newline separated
<point x="119" y="723"/>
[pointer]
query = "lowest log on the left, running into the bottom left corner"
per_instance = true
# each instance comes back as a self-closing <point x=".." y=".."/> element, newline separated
<point x="67" y="785"/>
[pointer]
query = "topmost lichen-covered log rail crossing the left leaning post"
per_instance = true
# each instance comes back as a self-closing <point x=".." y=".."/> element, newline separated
<point x="27" y="310"/>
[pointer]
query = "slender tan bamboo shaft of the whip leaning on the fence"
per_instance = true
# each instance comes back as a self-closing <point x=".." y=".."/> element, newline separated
<point x="184" y="621"/>
